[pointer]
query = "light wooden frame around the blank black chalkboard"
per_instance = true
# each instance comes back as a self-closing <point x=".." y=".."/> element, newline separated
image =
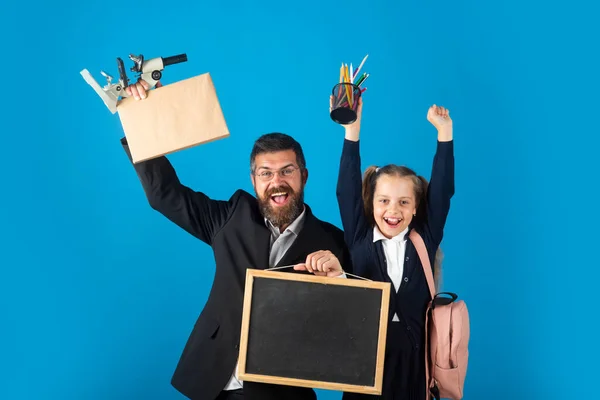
<point x="376" y="389"/>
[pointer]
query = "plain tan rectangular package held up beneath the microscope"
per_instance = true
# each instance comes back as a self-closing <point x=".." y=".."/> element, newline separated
<point x="173" y="117"/>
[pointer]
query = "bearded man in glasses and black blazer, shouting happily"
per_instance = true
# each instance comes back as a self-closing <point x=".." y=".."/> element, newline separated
<point x="275" y="228"/>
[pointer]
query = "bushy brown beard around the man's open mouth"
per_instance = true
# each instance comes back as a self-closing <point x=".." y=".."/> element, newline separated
<point x="281" y="216"/>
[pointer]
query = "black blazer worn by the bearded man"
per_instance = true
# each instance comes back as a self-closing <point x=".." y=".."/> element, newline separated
<point x="240" y="239"/>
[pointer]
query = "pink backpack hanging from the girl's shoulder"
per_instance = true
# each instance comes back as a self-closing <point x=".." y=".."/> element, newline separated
<point x="447" y="332"/>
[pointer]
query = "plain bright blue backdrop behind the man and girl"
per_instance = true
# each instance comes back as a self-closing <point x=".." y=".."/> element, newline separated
<point x="98" y="293"/>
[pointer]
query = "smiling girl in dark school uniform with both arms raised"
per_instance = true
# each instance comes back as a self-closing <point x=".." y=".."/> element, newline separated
<point x="378" y="214"/>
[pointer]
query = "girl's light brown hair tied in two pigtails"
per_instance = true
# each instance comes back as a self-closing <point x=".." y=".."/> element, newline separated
<point x="420" y="185"/>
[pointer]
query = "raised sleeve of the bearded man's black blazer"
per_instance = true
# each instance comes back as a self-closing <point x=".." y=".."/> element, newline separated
<point x="192" y="211"/>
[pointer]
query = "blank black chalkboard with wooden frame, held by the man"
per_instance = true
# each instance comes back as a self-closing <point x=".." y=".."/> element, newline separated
<point x="311" y="331"/>
